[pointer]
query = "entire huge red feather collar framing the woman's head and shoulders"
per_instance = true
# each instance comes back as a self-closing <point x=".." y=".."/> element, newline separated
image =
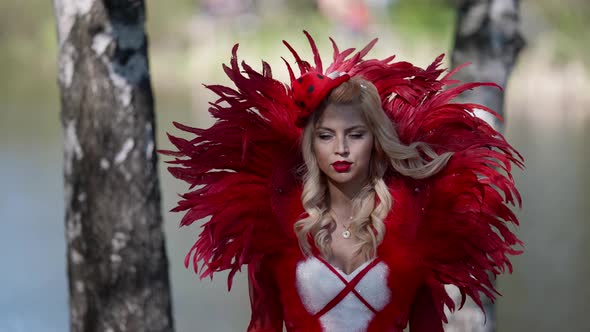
<point x="243" y="171"/>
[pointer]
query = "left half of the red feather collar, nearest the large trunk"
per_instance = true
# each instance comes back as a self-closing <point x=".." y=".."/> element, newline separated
<point x="243" y="171"/>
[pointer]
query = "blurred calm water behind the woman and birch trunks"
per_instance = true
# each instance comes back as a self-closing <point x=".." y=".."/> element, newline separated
<point x="548" y="290"/>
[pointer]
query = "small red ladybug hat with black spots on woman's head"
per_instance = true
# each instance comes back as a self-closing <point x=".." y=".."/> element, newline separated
<point x="310" y="89"/>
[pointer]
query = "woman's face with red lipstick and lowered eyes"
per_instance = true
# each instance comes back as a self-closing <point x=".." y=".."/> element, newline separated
<point x="343" y="145"/>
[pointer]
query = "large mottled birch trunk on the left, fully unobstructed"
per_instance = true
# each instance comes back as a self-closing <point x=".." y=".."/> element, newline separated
<point x="117" y="265"/>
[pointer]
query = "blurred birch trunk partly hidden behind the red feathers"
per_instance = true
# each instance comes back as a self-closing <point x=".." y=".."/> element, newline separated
<point x="487" y="35"/>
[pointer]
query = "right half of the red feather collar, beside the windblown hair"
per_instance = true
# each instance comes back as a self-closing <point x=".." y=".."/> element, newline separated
<point x="461" y="231"/>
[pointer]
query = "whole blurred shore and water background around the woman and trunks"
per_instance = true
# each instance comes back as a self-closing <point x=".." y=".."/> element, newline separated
<point x="547" y="120"/>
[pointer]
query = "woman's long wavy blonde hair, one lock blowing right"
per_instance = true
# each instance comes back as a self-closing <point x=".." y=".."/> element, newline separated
<point x="417" y="160"/>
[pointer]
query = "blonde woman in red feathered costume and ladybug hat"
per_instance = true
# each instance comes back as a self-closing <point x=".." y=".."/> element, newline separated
<point x="401" y="193"/>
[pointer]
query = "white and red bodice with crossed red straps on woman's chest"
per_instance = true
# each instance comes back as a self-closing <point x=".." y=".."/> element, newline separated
<point x="314" y="290"/>
